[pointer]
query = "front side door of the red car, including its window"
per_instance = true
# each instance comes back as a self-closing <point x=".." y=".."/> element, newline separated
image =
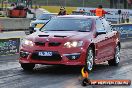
<point x="100" y="41"/>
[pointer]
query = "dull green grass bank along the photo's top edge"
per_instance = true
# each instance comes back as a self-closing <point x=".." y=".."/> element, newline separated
<point x="73" y="3"/>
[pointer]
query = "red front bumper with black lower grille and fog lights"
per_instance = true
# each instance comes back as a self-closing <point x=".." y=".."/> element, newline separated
<point x="73" y="56"/>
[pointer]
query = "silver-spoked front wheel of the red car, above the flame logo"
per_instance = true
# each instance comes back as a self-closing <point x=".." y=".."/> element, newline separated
<point x="89" y="59"/>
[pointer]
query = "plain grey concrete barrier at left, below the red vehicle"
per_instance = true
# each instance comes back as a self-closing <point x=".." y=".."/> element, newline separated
<point x="10" y="24"/>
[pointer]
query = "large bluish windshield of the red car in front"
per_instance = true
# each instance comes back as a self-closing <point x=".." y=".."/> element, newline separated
<point x="68" y="24"/>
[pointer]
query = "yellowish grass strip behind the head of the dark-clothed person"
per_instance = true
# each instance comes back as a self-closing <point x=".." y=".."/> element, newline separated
<point x="55" y="9"/>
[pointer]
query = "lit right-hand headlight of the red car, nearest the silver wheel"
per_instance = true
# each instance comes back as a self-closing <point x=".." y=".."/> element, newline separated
<point x="73" y="44"/>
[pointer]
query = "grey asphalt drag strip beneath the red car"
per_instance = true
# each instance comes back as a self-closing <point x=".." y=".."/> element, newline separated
<point x="13" y="76"/>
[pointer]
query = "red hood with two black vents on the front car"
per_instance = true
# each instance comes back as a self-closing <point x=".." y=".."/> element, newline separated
<point x="59" y="36"/>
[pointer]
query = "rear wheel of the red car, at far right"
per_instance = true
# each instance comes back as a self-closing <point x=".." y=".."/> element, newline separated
<point x="115" y="61"/>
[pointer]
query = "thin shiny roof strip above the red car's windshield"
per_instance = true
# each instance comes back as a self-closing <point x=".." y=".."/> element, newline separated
<point x="78" y="16"/>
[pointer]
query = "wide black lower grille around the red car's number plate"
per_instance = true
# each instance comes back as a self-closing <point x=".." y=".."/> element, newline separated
<point x="55" y="57"/>
